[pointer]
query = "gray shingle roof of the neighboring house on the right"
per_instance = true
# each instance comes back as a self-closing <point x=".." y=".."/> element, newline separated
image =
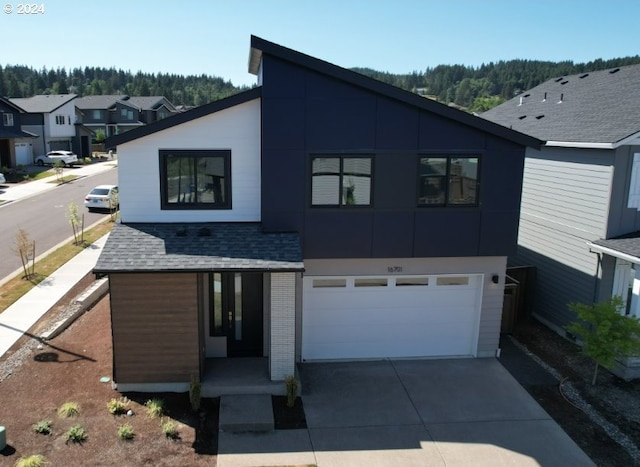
<point x="596" y="107"/>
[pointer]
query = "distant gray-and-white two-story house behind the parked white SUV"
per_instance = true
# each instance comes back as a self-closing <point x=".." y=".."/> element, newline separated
<point x="52" y="117"/>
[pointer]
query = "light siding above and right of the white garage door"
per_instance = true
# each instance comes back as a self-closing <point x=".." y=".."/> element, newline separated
<point x="492" y="294"/>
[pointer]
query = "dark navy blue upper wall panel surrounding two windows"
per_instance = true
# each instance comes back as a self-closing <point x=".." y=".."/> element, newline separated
<point x="306" y="113"/>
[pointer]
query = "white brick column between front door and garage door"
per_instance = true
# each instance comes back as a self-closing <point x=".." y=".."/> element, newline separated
<point x="283" y="325"/>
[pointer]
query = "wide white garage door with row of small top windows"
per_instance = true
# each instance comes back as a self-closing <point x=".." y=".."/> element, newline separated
<point x="377" y="317"/>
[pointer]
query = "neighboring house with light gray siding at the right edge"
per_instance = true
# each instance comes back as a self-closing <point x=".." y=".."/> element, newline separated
<point x="580" y="215"/>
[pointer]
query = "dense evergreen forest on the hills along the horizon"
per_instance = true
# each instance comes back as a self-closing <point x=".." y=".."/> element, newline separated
<point x="473" y="88"/>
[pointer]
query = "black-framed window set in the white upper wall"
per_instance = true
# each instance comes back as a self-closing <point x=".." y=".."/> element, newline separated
<point x="195" y="179"/>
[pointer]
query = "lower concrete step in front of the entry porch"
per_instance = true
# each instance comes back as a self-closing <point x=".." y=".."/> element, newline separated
<point x="246" y="413"/>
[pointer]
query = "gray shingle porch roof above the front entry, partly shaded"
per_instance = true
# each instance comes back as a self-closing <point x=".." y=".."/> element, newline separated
<point x="229" y="246"/>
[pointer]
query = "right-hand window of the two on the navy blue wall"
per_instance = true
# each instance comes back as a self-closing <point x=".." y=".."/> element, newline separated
<point x="448" y="181"/>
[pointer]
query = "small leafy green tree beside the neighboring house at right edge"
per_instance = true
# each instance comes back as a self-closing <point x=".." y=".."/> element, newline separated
<point x="606" y="332"/>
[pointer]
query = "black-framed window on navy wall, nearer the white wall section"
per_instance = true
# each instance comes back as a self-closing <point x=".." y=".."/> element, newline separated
<point x="341" y="181"/>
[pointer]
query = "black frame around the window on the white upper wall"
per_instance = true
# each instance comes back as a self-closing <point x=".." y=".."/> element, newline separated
<point x="165" y="205"/>
